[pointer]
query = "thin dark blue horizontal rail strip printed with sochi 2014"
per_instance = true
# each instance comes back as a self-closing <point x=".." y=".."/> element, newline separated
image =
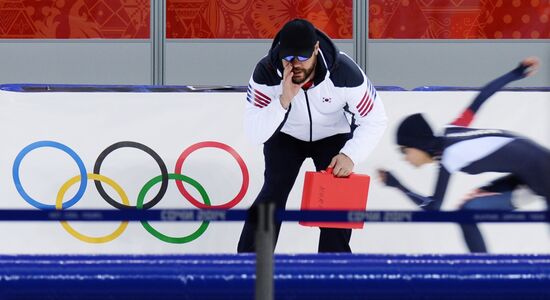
<point x="193" y="215"/>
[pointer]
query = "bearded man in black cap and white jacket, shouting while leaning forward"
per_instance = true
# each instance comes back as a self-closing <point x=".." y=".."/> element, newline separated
<point x="308" y="100"/>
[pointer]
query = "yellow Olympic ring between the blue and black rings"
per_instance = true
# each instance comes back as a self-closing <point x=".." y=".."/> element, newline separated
<point x="78" y="235"/>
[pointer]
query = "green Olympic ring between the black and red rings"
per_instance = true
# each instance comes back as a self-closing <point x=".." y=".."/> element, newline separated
<point x="169" y="239"/>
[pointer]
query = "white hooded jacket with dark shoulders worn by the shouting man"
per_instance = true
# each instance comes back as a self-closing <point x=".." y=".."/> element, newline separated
<point x="341" y="98"/>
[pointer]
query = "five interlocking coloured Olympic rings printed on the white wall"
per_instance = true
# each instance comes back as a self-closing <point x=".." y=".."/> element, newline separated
<point x="163" y="178"/>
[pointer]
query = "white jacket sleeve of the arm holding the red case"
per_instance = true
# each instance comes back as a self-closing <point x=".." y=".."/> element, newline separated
<point x="370" y="116"/>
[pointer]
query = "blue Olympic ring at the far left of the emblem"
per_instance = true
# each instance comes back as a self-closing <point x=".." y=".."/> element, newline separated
<point x="41" y="144"/>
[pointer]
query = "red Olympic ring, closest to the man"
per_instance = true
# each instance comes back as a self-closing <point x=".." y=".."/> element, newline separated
<point x="228" y="149"/>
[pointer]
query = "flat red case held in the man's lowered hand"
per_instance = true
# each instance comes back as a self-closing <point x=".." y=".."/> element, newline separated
<point x="323" y="191"/>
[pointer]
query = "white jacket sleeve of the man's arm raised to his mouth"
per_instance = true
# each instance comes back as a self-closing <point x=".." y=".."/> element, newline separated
<point x="264" y="112"/>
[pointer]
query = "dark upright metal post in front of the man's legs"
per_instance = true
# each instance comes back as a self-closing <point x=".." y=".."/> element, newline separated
<point x="264" y="251"/>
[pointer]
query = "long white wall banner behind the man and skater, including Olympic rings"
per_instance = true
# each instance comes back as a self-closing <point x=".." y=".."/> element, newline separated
<point x="188" y="150"/>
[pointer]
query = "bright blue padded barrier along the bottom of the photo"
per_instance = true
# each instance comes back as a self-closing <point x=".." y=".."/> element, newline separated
<point x="309" y="276"/>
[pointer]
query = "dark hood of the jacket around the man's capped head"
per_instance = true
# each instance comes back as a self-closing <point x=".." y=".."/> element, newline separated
<point x="329" y="50"/>
